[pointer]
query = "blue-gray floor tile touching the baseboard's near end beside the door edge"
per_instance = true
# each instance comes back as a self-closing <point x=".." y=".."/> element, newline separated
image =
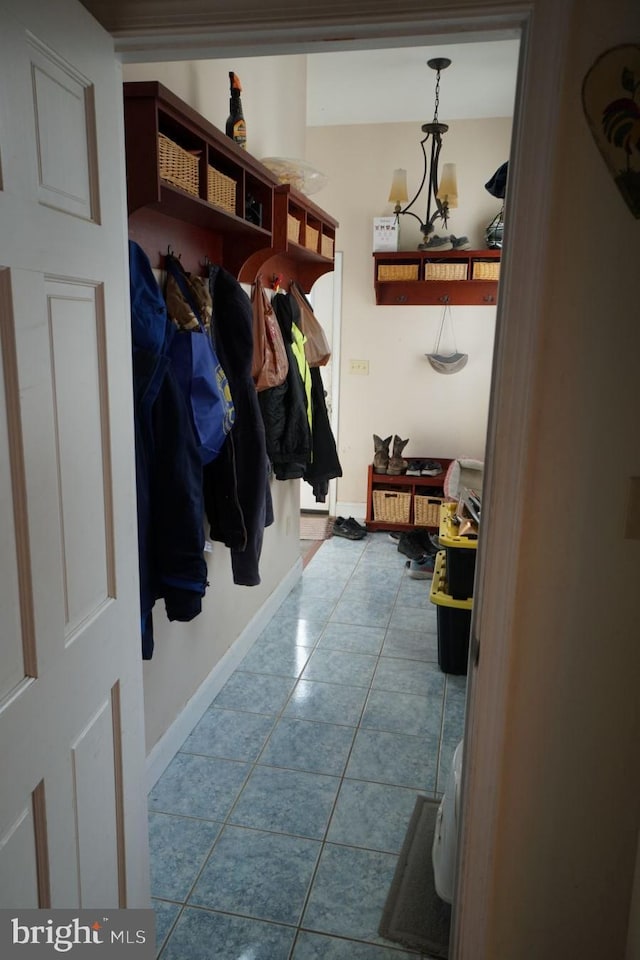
<point x="195" y="786"/>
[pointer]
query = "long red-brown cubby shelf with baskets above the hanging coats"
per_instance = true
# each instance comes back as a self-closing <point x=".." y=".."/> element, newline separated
<point x="211" y="198"/>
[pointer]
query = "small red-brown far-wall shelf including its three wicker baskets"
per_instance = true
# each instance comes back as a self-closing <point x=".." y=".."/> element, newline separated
<point x="457" y="277"/>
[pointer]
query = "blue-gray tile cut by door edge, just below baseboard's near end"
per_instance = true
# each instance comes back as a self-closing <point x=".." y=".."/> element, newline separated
<point x="178" y="846"/>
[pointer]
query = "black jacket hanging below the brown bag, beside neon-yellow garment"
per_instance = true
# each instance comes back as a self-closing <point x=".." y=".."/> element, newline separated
<point x="285" y="409"/>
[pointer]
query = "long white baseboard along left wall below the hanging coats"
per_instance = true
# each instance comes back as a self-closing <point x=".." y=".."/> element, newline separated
<point x="166" y="748"/>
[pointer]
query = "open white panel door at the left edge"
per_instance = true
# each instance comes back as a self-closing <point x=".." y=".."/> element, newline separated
<point x="72" y="801"/>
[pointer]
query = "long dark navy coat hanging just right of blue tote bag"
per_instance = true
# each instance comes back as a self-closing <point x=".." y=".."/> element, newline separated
<point x="236" y="485"/>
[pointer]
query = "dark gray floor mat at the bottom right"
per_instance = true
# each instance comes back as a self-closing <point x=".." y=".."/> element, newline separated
<point x="414" y="915"/>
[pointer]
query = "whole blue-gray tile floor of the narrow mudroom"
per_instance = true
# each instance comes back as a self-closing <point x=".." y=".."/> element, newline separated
<point x="276" y="829"/>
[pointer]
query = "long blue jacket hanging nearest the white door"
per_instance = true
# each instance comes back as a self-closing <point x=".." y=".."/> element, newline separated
<point x="168" y="466"/>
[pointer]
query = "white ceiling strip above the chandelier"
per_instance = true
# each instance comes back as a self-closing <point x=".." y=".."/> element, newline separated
<point x="396" y="85"/>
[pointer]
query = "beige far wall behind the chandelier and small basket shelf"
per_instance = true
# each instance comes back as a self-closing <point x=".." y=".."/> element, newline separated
<point x="442" y="415"/>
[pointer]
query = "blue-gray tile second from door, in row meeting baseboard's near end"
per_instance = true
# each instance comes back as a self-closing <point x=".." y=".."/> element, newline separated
<point x="286" y="801"/>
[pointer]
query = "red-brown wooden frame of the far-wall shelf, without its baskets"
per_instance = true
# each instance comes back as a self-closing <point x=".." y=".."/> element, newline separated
<point x="420" y="291"/>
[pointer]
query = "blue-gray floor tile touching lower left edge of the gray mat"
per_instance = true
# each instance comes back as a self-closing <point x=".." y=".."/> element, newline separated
<point x="349" y="892"/>
